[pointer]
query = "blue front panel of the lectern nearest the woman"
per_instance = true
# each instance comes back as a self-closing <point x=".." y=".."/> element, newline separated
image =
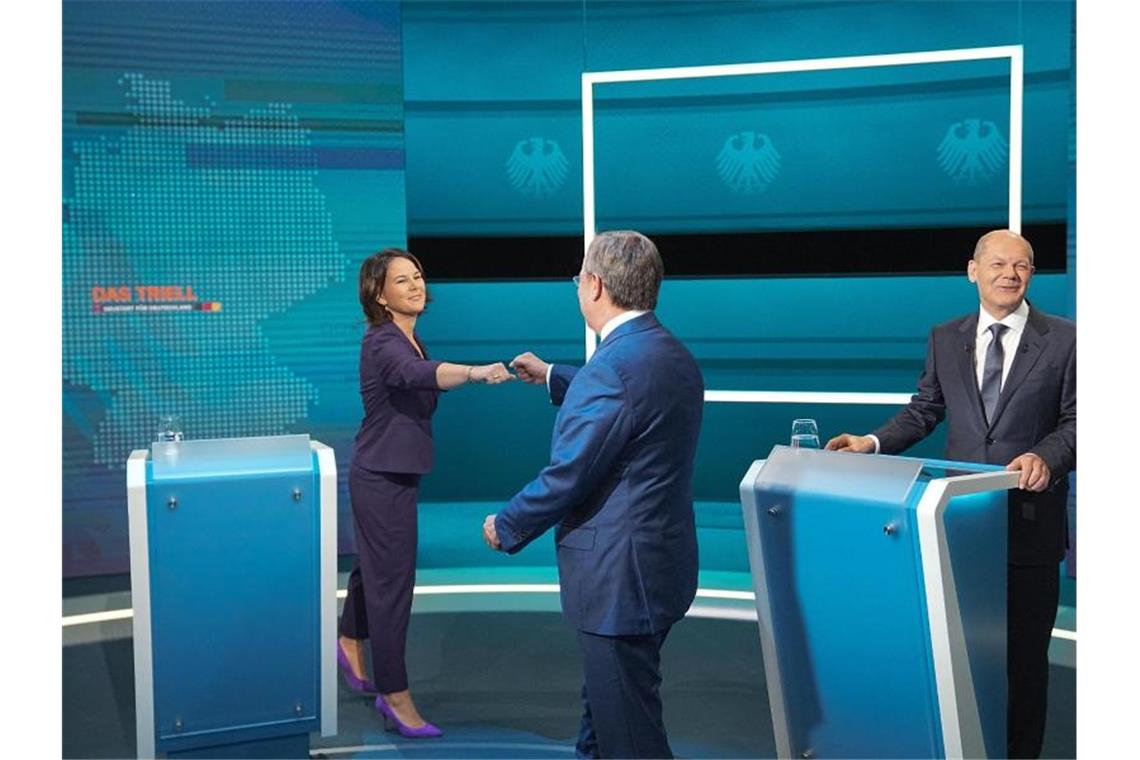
<point x="234" y="568"/>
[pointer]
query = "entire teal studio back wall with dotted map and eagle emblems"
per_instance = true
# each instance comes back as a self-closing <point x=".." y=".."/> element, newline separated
<point x="254" y="153"/>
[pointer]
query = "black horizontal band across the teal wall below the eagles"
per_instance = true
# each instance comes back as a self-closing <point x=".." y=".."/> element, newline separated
<point x="786" y="254"/>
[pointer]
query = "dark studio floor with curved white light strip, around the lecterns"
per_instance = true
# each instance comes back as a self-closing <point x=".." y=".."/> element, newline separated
<point x="500" y="675"/>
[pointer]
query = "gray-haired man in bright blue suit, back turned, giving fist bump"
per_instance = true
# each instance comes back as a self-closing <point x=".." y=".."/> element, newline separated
<point x="620" y="489"/>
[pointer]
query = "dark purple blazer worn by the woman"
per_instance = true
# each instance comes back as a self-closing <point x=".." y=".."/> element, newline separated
<point x="400" y="395"/>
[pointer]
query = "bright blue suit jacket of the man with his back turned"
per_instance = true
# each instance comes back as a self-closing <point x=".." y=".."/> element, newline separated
<point x="620" y="484"/>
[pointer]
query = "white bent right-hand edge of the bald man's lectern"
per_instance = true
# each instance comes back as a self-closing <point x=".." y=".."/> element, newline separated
<point x="962" y="725"/>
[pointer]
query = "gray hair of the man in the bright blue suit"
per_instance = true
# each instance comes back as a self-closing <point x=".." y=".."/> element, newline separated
<point x="630" y="266"/>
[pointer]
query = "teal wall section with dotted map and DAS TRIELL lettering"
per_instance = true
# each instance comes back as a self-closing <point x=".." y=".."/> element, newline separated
<point x="226" y="167"/>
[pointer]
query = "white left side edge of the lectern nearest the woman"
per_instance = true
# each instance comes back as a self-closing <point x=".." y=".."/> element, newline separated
<point x="141" y="603"/>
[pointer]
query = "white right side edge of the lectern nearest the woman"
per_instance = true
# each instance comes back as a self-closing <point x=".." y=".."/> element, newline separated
<point x="327" y="467"/>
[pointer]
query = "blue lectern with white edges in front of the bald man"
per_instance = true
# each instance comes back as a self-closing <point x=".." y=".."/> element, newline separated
<point x="881" y="594"/>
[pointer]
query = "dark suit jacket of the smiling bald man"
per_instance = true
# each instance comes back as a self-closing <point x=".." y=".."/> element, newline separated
<point x="1037" y="413"/>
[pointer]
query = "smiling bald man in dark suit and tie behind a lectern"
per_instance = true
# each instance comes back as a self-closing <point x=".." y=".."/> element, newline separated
<point x="1006" y="377"/>
